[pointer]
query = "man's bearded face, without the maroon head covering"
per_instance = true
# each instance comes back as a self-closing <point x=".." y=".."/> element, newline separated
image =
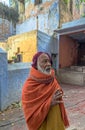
<point x="44" y="64"/>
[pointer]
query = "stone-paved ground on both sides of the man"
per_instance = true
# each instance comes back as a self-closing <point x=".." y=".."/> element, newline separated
<point x="74" y="98"/>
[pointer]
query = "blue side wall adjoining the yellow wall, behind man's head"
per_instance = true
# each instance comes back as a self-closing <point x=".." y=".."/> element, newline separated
<point x="48" y="44"/>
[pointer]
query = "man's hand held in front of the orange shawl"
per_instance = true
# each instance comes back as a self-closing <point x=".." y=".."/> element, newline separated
<point x="56" y="98"/>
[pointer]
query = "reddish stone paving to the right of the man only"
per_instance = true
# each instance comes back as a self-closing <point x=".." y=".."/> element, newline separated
<point x="75" y="104"/>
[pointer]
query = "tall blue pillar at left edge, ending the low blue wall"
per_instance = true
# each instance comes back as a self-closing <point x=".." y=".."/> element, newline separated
<point x="3" y="80"/>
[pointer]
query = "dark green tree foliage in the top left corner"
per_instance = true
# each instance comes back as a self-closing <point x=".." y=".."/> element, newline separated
<point x="8" y="13"/>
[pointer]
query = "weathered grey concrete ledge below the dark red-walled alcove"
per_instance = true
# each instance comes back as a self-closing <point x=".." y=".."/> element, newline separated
<point x="71" y="77"/>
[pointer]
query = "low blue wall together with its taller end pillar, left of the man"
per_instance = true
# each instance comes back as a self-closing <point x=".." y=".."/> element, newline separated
<point x="12" y="78"/>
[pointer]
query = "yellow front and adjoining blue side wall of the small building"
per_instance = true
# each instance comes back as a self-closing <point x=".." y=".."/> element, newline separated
<point x="29" y="43"/>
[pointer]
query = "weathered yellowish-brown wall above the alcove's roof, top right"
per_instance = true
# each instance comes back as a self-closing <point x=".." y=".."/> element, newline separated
<point x="75" y="9"/>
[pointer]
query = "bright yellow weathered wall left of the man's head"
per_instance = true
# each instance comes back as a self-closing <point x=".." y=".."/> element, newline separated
<point x="27" y="42"/>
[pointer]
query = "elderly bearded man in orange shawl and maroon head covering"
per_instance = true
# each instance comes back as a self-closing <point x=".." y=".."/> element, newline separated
<point x="42" y="97"/>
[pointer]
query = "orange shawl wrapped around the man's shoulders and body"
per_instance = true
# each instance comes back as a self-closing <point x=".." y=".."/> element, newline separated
<point x="36" y="98"/>
